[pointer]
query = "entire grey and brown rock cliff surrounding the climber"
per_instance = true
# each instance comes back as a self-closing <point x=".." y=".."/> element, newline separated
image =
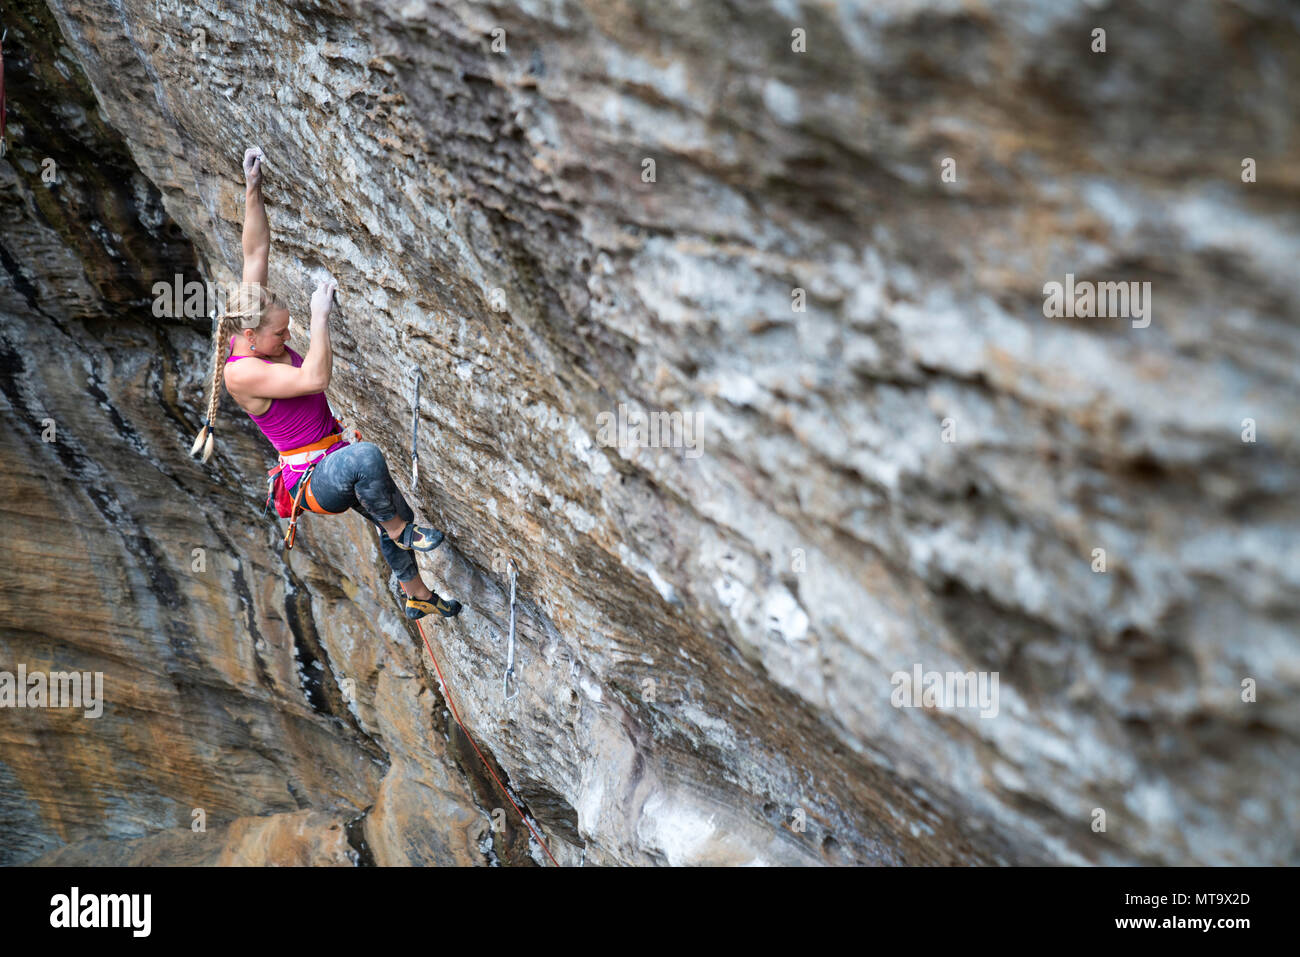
<point x="707" y="643"/>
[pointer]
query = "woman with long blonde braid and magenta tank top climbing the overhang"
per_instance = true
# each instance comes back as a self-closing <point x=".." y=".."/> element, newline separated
<point x="285" y="396"/>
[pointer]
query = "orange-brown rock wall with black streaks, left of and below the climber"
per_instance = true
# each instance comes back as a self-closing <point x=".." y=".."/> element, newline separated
<point x="223" y="685"/>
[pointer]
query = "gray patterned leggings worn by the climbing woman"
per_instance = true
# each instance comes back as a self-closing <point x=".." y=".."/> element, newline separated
<point x="358" y="478"/>
